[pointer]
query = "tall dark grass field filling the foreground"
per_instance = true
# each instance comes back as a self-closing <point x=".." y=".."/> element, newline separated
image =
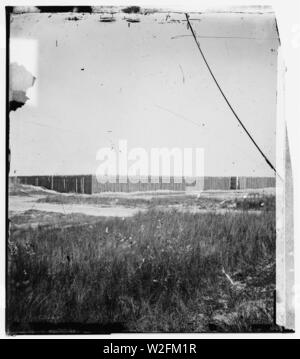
<point x="157" y="271"/>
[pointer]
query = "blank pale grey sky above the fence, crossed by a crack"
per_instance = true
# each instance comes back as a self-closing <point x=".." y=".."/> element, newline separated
<point x="148" y="87"/>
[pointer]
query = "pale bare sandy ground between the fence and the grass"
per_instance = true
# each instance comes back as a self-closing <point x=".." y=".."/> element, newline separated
<point x="25" y="198"/>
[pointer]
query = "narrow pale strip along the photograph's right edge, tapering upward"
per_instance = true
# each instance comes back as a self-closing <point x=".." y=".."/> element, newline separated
<point x="285" y="275"/>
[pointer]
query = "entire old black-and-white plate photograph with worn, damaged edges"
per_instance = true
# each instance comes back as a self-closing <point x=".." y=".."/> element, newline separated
<point x="149" y="175"/>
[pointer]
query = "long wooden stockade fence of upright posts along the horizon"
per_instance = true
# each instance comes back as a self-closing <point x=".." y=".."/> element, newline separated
<point x="89" y="184"/>
